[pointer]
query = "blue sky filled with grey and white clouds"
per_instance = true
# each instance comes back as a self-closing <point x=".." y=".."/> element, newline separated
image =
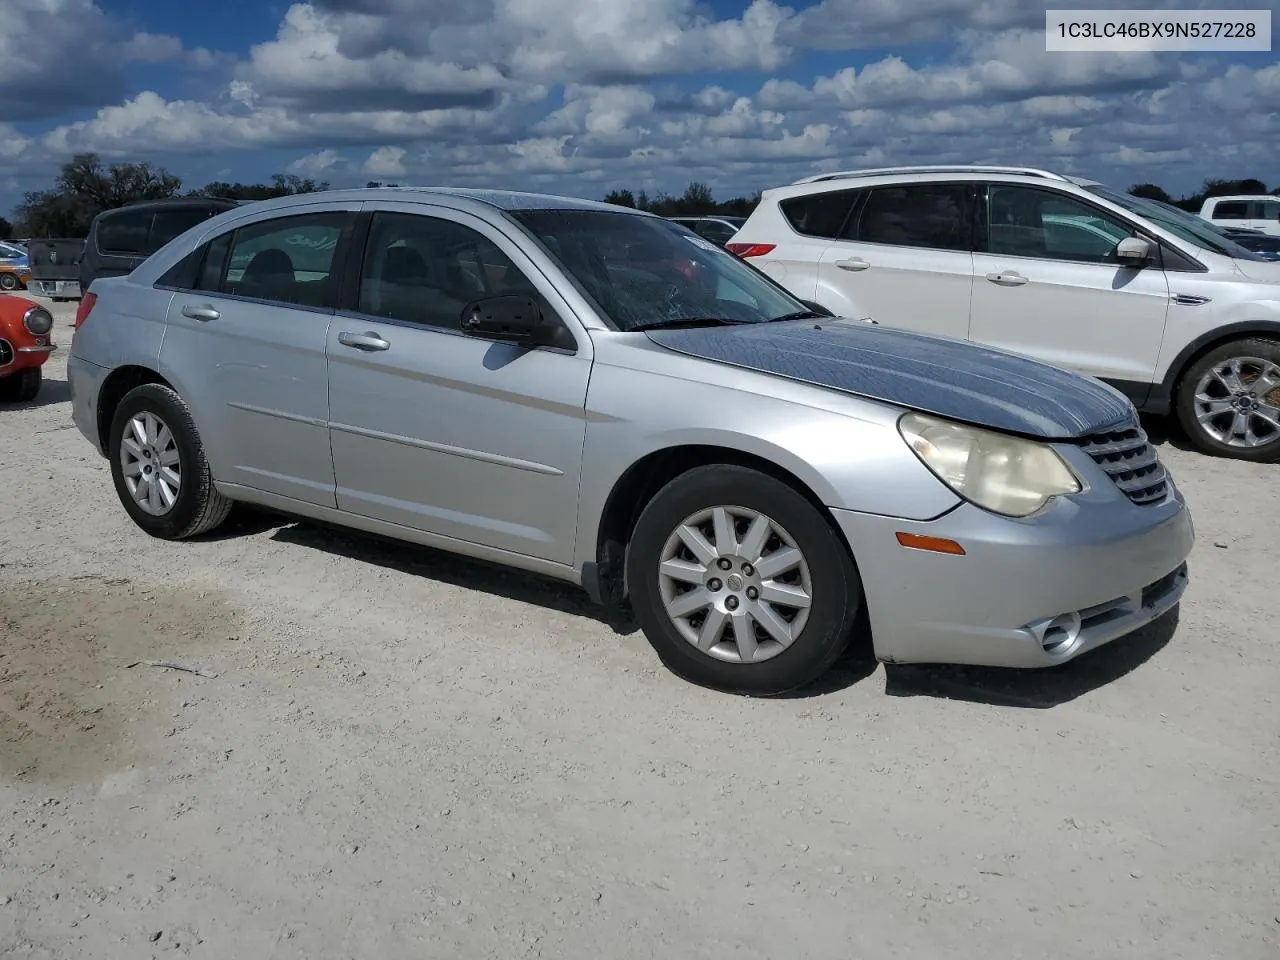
<point x="582" y="97"/>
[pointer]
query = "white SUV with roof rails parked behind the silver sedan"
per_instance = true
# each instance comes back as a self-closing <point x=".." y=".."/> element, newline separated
<point x="1150" y="299"/>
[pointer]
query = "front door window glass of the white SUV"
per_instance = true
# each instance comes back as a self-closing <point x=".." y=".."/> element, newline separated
<point x="1034" y="223"/>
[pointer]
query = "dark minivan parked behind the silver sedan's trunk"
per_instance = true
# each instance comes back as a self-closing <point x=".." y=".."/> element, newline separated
<point x="122" y="239"/>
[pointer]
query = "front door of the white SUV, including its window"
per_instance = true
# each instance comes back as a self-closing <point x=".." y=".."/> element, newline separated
<point x="1049" y="286"/>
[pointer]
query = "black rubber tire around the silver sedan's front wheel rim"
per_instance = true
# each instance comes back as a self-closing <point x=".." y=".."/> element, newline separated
<point x="835" y="587"/>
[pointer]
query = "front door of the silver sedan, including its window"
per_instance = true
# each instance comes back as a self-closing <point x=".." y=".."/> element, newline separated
<point x="442" y="432"/>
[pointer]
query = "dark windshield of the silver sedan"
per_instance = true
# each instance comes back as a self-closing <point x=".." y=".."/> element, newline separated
<point x="643" y="272"/>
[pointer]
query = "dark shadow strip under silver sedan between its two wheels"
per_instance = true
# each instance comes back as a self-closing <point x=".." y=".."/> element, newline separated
<point x="423" y="563"/>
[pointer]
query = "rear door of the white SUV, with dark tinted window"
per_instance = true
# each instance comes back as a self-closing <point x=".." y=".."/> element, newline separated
<point x="904" y="259"/>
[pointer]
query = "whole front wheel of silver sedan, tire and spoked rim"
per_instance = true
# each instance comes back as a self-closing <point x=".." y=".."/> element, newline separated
<point x="740" y="583"/>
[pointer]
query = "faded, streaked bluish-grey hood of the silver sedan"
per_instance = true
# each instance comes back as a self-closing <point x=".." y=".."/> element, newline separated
<point x="949" y="378"/>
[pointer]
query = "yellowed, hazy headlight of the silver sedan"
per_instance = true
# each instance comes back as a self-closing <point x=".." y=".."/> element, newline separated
<point x="996" y="472"/>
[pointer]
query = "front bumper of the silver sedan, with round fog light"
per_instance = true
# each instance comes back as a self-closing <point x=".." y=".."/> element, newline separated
<point x="1028" y="593"/>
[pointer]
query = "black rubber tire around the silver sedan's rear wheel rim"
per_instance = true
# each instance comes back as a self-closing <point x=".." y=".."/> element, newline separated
<point x="198" y="508"/>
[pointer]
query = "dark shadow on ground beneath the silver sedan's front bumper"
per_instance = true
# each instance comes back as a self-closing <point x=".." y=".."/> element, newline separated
<point x="1035" y="689"/>
